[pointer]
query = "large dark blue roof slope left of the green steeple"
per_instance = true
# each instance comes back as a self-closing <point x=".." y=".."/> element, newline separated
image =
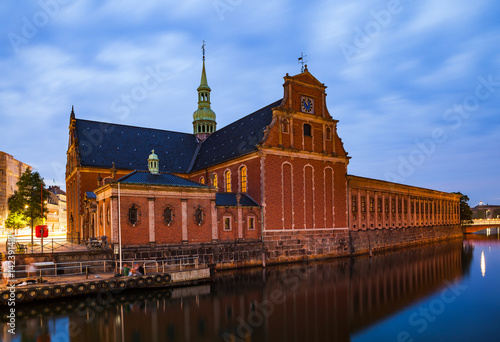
<point x="128" y="147"/>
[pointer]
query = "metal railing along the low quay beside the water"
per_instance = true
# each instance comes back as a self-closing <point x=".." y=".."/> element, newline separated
<point x="93" y="268"/>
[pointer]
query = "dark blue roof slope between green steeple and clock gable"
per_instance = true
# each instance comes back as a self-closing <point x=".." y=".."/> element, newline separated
<point x="237" y="139"/>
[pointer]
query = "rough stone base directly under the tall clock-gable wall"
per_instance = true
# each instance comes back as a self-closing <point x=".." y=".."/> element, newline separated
<point x="290" y="246"/>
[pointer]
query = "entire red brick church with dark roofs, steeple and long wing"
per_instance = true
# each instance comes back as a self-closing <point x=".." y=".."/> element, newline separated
<point x="276" y="178"/>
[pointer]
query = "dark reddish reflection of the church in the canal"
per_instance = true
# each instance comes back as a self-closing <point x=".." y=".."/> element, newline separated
<point x="324" y="301"/>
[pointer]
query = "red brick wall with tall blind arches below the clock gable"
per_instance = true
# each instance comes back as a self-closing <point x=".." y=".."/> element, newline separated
<point x="304" y="194"/>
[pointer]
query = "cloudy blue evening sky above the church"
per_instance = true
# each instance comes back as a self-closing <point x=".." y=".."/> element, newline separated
<point x="415" y="85"/>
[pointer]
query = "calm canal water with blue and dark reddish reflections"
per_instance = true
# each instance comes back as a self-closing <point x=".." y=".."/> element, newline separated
<point x="446" y="291"/>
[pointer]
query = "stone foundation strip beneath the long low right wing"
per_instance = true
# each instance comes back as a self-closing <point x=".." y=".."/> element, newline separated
<point x="361" y="242"/>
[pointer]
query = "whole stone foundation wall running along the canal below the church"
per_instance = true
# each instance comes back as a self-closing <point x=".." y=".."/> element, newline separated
<point x="276" y="247"/>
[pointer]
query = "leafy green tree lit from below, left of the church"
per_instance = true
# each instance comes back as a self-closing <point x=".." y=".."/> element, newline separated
<point x="30" y="198"/>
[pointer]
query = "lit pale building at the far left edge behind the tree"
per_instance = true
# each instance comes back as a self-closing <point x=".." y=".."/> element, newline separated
<point x="10" y="172"/>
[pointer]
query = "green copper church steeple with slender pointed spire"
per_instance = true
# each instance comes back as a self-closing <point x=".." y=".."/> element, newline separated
<point x="204" y="117"/>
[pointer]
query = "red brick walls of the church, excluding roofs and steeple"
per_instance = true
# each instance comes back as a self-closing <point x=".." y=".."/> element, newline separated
<point x="297" y="175"/>
